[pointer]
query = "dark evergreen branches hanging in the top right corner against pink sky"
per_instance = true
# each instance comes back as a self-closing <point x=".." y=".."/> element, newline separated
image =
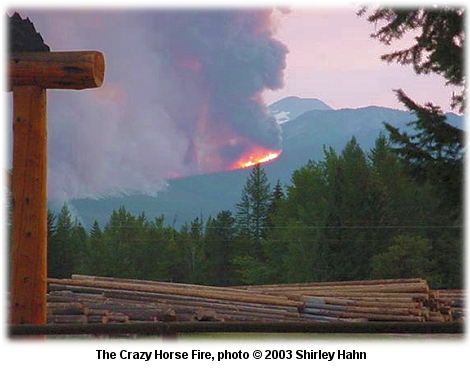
<point x="438" y="46"/>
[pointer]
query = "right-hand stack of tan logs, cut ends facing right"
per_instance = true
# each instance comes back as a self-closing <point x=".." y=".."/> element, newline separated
<point x="370" y="300"/>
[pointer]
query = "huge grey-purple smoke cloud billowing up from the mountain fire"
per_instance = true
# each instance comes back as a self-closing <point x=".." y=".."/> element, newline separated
<point x="182" y="95"/>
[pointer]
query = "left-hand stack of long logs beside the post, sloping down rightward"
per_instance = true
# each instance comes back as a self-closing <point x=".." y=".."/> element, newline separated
<point x="141" y="300"/>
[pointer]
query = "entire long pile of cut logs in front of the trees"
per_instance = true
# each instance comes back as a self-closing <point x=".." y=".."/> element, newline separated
<point x="91" y="299"/>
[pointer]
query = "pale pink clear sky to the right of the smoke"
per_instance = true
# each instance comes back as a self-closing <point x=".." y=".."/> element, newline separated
<point x="332" y="57"/>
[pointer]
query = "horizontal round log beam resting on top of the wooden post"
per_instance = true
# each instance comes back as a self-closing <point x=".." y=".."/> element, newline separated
<point x="75" y="70"/>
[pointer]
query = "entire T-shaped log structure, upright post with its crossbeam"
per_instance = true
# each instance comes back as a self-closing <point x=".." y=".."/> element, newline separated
<point x="30" y="75"/>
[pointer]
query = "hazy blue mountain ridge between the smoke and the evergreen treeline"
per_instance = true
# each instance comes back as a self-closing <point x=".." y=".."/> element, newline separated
<point x="205" y="195"/>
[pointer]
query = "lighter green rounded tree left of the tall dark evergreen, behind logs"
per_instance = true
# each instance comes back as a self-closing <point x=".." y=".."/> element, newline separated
<point x="299" y="224"/>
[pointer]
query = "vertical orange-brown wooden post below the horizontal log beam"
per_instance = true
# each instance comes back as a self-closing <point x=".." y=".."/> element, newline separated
<point x="29" y="206"/>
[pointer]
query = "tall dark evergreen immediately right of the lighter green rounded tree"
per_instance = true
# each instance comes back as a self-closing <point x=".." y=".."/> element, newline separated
<point x="350" y="215"/>
